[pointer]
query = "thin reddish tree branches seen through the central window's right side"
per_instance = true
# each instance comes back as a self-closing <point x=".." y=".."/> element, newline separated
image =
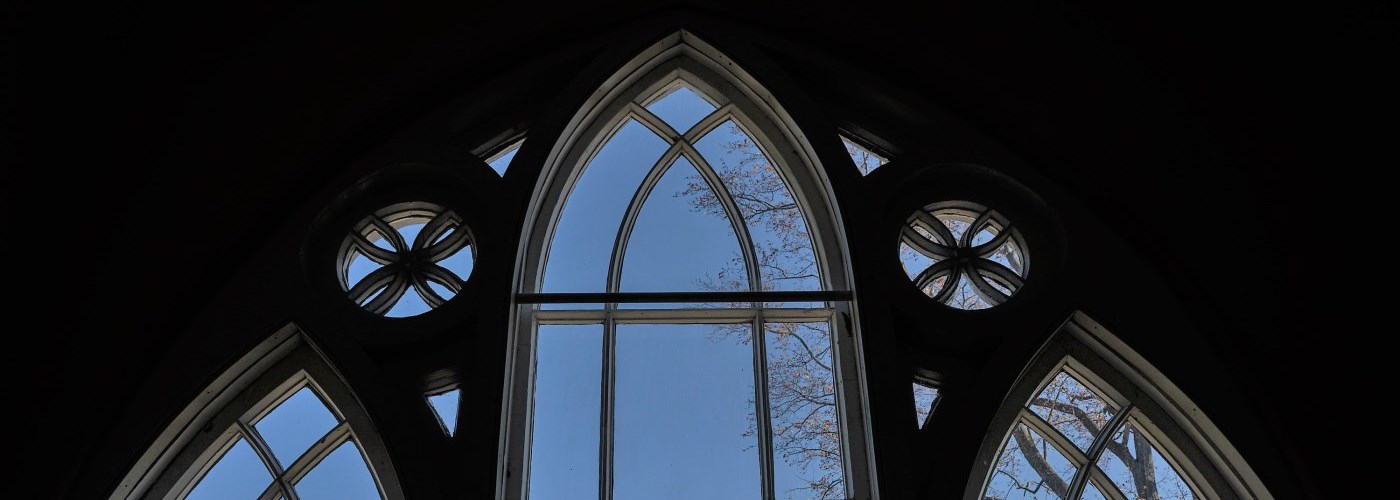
<point x="801" y="377"/>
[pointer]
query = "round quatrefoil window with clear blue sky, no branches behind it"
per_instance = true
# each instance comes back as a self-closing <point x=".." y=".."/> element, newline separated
<point x="407" y="260"/>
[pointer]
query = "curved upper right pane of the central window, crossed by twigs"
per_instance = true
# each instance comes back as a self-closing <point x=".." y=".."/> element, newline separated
<point x="769" y="209"/>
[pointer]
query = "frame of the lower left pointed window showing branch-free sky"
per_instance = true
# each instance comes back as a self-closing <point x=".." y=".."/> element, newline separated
<point x="267" y="376"/>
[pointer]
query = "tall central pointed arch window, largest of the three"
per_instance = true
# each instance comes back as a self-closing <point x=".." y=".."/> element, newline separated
<point x="682" y="326"/>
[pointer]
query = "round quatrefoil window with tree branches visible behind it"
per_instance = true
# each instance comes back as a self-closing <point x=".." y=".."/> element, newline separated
<point x="964" y="256"/>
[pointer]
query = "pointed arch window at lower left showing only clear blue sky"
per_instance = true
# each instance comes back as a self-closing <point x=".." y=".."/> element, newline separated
<point x="281" y="424"/>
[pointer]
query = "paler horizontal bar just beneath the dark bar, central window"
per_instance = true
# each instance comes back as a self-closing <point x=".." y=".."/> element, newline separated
<point x="682" y="316"/>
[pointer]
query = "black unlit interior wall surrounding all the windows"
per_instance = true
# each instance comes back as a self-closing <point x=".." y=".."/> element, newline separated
<point x="173" y="160"/>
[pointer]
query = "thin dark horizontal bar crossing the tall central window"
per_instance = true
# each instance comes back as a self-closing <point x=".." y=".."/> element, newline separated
<point x="684" y="298"/>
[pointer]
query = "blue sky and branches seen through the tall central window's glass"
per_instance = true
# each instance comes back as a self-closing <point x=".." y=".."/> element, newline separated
<point x="687" y="411"/>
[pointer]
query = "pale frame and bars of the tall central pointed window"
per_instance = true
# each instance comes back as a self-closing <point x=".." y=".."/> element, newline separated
<point x="738" y="96"/>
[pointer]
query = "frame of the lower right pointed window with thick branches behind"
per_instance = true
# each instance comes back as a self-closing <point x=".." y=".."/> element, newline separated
<point x="1164" y="415"/>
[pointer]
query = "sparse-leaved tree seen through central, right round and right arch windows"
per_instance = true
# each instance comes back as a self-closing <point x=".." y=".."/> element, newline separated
<point x="801" y="377"/>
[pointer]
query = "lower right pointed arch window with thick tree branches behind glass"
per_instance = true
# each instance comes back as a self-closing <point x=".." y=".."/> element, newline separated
<point x="1091" y="419"/>
